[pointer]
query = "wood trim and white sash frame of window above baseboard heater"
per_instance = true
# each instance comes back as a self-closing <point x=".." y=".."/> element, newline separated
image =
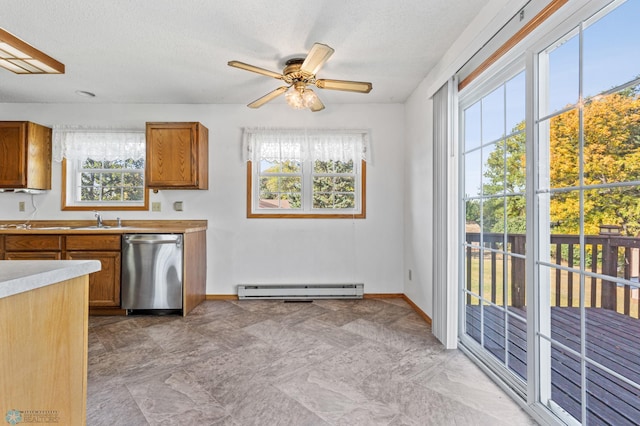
<point x="307" y="175"/>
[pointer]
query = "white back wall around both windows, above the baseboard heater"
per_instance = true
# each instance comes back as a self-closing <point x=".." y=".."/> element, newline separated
<point x="241" y="250"/>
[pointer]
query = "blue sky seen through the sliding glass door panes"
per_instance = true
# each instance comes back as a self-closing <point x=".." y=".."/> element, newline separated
<point x="611" y="57"/>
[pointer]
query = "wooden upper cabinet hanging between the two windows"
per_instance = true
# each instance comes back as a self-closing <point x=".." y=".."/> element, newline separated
<point x="177" y="156"/>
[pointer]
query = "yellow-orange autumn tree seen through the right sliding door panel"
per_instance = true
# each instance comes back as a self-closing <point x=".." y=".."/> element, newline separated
<point x="611" y="166"/>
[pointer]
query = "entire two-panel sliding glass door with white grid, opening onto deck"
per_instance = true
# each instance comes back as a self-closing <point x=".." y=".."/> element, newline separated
<point x="561" y="153"/>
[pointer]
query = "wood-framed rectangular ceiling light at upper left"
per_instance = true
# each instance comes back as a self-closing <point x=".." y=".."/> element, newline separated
<point x="21" y="58"/>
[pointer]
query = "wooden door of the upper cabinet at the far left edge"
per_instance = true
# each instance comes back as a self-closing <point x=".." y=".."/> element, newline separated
<point x="13" y="149"/>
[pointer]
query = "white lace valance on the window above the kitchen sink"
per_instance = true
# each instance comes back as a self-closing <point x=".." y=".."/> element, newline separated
<point x="108" y="144"/>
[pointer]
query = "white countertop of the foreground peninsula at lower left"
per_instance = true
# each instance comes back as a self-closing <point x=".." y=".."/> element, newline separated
<point x="19" y="276"/>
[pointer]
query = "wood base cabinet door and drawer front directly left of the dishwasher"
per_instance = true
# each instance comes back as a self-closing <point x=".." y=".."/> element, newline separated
<point x="104" y="285"/>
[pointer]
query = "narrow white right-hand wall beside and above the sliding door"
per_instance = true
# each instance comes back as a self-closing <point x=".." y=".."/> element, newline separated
<point x="418" y="247"/>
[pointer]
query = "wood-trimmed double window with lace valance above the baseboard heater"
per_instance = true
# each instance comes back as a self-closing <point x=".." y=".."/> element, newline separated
<point x="306" y="174"/>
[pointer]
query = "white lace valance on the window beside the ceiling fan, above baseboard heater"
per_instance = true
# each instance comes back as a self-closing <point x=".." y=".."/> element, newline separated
<point x="301" y="145"/>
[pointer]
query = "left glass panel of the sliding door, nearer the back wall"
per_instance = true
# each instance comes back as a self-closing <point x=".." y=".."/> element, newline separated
<point x="494" y="292"/>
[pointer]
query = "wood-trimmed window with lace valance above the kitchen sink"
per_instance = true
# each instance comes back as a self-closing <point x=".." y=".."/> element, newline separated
<point x="102" y="169"/>
